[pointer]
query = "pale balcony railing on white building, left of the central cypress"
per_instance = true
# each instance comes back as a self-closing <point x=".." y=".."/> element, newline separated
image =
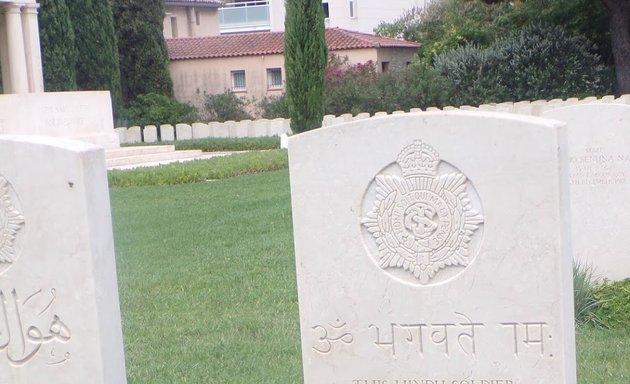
<point x="244" y="16"/>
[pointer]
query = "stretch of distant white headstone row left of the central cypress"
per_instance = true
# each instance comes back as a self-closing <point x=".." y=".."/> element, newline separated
<point x="168" y="132"/>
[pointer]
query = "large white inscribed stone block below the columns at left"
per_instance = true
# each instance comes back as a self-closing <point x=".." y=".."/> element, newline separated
<point x="85" y="116"/>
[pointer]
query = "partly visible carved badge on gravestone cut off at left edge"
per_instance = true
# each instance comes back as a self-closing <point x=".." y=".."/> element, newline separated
<point x="11" y="225"/>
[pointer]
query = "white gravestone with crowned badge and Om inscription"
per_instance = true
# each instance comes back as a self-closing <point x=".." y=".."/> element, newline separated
<point x="434" y="248"/>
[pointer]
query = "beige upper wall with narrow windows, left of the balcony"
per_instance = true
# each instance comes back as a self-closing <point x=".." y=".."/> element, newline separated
<point x="187" y="26"/>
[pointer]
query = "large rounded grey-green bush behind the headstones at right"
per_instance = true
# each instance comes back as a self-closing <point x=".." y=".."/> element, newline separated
<point x="535" y="63"/>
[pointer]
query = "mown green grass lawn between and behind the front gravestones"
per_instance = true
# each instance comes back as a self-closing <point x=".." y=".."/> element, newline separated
<point x="207" y="285"/>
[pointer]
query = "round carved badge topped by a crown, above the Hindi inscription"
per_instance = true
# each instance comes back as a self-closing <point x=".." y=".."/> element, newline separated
<point x="424" y="222"/>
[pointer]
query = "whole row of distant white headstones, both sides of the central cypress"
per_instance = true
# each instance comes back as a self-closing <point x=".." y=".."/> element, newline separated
<point x="277" y="127"/>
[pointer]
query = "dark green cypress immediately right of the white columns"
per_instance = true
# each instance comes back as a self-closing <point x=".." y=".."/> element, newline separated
<point x="59" y="54"/>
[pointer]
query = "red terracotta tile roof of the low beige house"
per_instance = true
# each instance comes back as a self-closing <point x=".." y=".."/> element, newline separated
<point x="268" y="43"/>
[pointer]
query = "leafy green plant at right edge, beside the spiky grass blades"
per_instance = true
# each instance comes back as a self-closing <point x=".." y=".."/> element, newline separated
<point x="613" y="308"/>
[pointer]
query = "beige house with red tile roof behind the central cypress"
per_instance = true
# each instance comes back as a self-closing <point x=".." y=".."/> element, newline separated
<point x="252" y="64"/>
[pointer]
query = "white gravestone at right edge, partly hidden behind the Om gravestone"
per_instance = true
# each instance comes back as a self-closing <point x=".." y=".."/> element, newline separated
<point x="599" y="165"/>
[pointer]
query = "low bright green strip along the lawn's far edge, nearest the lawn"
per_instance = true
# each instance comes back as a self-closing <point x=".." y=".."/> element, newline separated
<point x="201" y="170"/>
